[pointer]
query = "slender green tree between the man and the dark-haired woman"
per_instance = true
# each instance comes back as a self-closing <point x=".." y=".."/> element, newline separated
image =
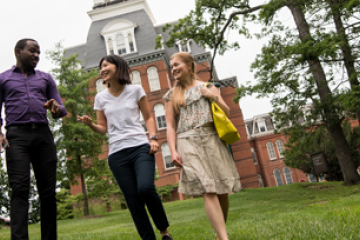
<point x="77" y="145"/>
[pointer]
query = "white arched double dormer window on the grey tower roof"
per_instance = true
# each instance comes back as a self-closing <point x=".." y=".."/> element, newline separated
<point x="120" y="37"/>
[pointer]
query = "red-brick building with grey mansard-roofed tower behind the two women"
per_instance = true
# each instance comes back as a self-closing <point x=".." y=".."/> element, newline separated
<point x="127" y="28"/>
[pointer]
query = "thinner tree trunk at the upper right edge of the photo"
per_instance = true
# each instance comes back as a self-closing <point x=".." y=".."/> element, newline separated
<point x="349" y="59"/>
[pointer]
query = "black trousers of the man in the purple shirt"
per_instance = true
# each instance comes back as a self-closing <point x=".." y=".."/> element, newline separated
<point x="28" y="145"/>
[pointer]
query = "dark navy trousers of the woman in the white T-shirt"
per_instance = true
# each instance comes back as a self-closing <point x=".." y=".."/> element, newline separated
<point x="134" y="170"/>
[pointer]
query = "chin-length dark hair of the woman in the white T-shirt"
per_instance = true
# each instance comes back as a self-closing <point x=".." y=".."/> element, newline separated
<point x="122" y="69"/>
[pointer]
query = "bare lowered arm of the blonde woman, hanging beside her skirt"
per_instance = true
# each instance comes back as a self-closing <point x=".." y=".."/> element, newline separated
<point x="171" y="133"/>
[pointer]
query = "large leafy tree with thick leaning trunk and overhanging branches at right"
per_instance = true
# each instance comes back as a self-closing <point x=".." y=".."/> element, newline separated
<point x="289" y="68"/>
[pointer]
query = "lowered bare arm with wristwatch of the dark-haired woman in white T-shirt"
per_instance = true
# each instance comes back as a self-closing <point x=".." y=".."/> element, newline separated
<point x="150" y="124"/>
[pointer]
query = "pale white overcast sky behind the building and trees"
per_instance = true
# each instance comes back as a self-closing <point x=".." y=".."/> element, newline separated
<point x="51" y="21"/>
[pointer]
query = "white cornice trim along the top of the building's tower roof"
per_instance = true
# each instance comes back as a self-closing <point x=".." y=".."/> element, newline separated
<point x="120" y="9"/>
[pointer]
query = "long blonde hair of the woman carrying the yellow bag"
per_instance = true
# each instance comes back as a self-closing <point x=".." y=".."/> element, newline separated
<point x="178" y="98"/>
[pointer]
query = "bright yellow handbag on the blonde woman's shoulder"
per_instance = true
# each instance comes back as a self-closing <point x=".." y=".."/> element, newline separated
<point x="224" y="127"/>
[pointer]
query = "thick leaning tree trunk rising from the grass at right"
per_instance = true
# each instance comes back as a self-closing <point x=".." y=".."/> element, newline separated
<point x="333" y="124"/>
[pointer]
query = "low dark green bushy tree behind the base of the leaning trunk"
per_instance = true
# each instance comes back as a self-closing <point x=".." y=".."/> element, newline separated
<point x="304" y="142"/>
